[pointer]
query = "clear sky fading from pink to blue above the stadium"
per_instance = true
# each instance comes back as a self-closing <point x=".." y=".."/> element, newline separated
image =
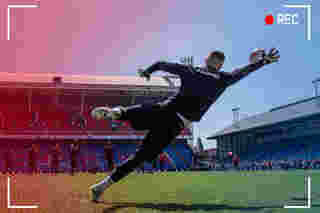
<point x="116" y="37"/>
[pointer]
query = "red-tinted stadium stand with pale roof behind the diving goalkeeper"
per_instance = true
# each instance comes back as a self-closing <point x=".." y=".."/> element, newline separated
<point x="46" y="109"/>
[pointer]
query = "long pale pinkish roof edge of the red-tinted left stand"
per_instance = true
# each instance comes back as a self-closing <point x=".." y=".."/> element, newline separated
<point x="6" y="77"/>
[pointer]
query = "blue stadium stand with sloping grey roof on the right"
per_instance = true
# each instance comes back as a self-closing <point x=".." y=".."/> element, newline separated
<point x="288" y="132"/>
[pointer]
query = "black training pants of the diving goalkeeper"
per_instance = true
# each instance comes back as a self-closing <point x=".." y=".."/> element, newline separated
<point x="163" y="125"/>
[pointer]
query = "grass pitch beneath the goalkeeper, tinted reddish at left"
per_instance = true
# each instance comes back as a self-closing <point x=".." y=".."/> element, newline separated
<point x="234" y="192"/>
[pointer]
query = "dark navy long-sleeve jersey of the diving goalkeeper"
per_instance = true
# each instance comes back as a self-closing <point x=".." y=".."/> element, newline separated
<point x="199" y="88"/>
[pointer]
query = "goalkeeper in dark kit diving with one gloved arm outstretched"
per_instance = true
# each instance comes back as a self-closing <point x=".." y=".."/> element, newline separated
<point x="200" y="88"/>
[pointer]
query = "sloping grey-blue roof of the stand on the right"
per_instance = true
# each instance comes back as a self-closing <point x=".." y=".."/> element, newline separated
<point x="287" y="112"/>
